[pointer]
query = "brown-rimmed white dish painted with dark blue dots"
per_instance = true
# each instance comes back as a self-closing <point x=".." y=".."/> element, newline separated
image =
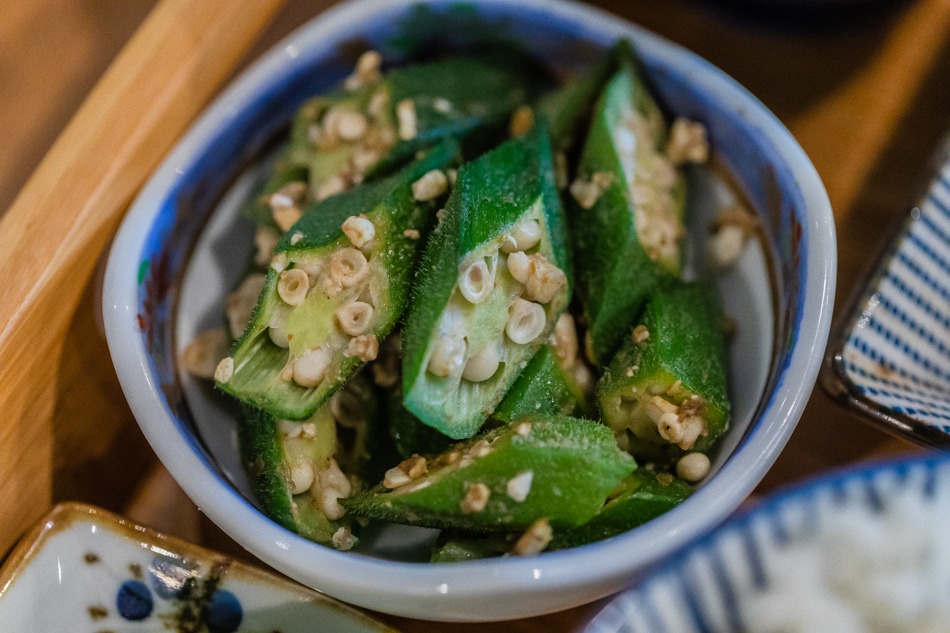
<point x="85" y="570"/>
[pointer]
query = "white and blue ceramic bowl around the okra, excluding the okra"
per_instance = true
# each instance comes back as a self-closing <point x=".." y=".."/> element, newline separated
<point x="157" y="295"/>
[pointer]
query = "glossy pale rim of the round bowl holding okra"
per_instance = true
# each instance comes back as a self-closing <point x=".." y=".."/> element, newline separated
<point x="775" y="419"/>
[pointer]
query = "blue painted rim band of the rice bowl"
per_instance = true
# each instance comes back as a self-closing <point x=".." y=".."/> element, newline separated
<point x="839" y="481"/>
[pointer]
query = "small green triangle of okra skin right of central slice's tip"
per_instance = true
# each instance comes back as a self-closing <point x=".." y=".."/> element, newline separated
<point x="544" y="388"/>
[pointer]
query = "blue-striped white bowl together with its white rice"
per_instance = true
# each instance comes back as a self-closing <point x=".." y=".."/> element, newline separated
<point x="771" y="568"/>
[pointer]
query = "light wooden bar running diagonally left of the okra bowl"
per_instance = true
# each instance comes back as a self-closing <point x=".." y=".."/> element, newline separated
<point x="51" y="236"/>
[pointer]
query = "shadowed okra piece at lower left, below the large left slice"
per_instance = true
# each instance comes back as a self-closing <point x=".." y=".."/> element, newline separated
<point x="300" y="470"/>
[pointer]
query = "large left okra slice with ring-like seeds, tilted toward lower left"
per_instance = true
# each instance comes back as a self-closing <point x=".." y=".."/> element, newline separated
<point x="337" y="284"/>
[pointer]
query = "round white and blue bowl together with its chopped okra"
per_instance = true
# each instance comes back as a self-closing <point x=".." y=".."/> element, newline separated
<point x="470" y="312"/>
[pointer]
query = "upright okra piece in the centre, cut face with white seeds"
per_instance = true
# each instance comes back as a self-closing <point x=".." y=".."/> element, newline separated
<point x="493" y="281"/>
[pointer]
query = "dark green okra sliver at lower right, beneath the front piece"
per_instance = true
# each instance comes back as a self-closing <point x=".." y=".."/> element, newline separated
<point x="639" y="498"/>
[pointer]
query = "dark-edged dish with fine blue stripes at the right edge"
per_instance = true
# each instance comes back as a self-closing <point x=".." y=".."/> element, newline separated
<point x="890" y="355"/>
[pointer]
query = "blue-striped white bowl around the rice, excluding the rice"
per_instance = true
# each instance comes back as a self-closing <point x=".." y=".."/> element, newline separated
<point x="704" y="587"/>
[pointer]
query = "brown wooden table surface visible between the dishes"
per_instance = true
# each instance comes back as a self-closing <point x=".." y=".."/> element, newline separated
<point x="863" y="91"/>
